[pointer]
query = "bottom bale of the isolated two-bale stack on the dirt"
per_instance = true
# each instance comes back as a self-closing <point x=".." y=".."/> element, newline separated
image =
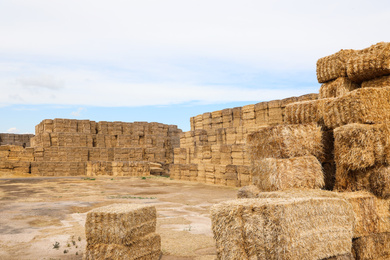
<point x="145" y="248"/>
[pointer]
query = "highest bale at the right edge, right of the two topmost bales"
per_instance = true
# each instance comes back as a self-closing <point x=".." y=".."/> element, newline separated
<point x="369" y="63"/>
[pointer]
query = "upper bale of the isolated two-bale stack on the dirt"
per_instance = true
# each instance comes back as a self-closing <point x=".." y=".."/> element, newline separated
<point x="119" y="224"/>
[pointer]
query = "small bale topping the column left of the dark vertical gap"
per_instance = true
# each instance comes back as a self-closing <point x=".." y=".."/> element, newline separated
<point x="305" y="112"/>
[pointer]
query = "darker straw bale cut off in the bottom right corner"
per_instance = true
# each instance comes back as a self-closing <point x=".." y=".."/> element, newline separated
<point x="374" y="246"/>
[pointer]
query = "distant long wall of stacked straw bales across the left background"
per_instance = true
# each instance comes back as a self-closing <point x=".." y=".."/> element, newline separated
<point x="65" y="147"/>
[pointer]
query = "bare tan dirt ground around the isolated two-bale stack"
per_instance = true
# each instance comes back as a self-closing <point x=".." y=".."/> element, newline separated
<point x="38" y="214"/>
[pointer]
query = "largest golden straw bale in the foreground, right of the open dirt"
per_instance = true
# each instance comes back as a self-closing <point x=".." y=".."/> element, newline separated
<point x="308" y="227"/>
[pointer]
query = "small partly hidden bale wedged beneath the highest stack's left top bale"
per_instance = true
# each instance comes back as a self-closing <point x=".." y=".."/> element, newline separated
<point x="337" y="88"/>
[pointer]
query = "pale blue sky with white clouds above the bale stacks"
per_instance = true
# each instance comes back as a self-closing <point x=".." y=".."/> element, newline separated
<point x="165" y="61"/>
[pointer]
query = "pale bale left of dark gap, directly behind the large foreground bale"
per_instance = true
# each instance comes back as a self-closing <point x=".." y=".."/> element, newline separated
<point x="279" y="174"/>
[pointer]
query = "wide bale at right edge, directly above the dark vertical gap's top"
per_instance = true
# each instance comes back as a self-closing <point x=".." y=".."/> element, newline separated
<point x="363" y="105"/>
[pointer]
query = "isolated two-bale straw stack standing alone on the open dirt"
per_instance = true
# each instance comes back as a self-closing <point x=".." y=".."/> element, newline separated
<point x="122" y="231"/>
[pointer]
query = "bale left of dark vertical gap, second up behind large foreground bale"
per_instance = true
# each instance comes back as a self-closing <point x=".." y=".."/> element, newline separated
<point x="285" y="141"/>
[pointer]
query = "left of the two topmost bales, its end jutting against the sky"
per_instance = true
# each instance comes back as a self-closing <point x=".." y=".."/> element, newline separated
<point x="333" y="66"/>
